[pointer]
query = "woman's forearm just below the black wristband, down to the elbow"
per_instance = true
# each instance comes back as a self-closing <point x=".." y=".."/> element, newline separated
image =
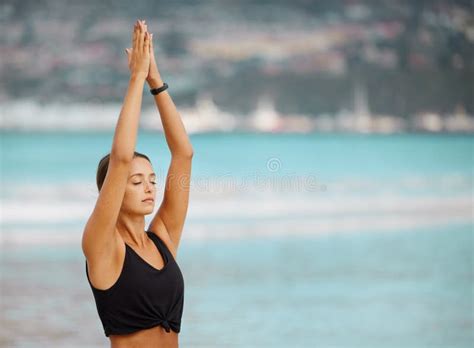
<point x="173" y="127"/>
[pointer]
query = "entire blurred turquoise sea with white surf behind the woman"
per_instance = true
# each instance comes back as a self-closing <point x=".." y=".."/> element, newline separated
<point x="302" y="240"/>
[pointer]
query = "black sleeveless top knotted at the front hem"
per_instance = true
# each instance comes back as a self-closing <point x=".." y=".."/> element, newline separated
<point x="143" y="296"/>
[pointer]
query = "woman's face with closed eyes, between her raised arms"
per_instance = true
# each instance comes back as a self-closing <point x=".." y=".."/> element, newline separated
<point x="140" y="186"/>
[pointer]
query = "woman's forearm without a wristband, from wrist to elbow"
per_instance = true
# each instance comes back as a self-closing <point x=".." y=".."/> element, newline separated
<point x="126" y="130"/>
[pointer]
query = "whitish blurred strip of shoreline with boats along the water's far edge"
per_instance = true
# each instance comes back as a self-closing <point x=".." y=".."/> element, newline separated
<point x="206" y="117"/>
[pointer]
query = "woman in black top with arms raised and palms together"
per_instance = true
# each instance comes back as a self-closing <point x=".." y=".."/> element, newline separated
<point x="133" y="273"/>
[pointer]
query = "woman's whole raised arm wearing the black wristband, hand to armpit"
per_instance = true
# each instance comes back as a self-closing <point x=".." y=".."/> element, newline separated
<point x="172" y="211"/>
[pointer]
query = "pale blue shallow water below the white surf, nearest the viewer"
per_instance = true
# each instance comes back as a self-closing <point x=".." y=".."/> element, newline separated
<point x="403" y="289"/>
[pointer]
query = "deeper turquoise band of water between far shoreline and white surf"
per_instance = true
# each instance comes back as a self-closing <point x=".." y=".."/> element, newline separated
<point x="71" y="156"/>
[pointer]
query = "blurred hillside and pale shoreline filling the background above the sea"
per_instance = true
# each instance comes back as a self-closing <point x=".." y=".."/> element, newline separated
<point x="279" y="67"/>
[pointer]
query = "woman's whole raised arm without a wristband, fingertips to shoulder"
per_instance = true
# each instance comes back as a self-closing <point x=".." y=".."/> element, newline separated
<point x="100" y="236"/>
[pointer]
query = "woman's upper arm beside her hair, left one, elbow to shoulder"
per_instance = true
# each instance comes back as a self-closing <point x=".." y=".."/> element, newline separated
<point x="100" y="236"/>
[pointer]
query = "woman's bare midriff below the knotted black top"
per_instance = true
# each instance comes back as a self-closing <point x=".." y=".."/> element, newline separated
<point x="148" y="338"/>
